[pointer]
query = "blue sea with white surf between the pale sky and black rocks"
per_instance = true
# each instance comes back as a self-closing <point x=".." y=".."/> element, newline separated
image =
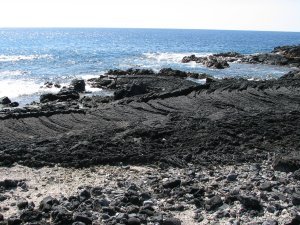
<point x="30" y="57"/>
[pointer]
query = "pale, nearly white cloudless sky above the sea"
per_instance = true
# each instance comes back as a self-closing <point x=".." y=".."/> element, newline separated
<point x="277" y="15"/>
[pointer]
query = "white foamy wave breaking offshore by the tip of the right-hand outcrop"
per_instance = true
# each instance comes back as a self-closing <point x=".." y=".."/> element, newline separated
<point x="171" y="57"/>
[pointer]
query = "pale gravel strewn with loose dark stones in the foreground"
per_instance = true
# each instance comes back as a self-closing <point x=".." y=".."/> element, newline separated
<point x="248" y="193"/>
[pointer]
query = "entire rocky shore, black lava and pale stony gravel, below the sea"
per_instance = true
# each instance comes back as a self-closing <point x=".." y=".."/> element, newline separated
<point x="162" y="149"/>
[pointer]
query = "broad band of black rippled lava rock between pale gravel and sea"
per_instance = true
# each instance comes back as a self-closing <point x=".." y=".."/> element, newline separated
<point x="158" y="119"/>
